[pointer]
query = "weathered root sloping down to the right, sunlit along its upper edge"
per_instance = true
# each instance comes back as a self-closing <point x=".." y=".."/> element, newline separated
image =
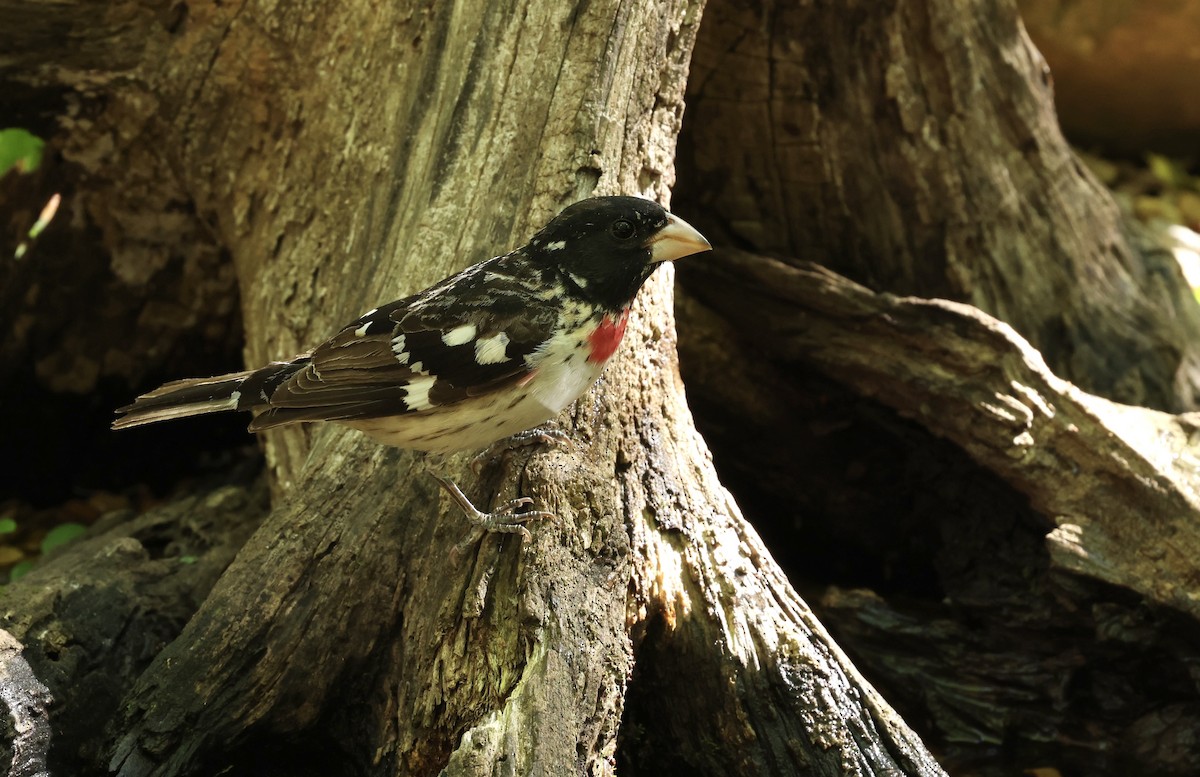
<point x="1129" y="515"/>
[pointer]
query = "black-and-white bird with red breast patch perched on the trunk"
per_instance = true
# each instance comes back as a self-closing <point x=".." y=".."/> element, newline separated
<point x="482" y="357"/>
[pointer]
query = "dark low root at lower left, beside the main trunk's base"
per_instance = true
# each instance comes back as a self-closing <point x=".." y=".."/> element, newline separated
<point x="95" y="615"/>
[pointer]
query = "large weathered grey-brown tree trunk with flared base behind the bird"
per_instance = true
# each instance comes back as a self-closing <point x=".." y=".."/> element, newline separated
<point x="346" y="154"/>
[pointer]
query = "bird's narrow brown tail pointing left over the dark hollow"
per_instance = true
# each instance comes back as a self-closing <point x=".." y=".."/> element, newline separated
<point x="197" y="396"/>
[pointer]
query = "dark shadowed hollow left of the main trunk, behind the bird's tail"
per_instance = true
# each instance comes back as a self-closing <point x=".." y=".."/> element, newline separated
<point x="82" y="340"/>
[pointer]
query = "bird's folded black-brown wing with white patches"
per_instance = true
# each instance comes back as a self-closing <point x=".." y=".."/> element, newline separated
<point x="464" y="338"/>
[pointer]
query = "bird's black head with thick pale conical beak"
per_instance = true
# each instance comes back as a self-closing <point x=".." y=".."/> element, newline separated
<point x="604" y="249"/>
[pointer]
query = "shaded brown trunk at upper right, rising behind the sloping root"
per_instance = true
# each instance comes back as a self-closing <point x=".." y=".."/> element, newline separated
<point x="914" y="148"/>
